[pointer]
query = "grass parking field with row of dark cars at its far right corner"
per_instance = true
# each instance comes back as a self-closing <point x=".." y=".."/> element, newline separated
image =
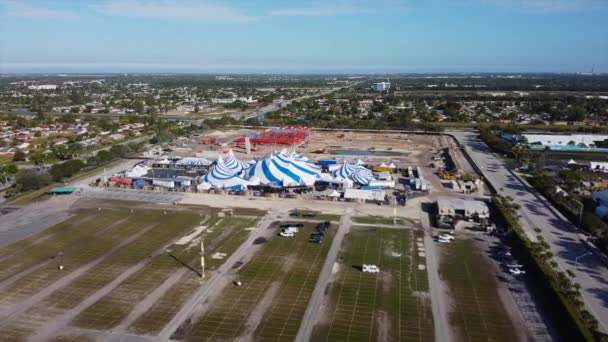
<point x="291" y="266"/>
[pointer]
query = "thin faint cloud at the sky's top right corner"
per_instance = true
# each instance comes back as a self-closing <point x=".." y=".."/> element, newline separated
<point x="550" y="5"/>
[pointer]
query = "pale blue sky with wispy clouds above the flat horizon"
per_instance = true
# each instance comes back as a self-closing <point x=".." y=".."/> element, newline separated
<point x="303" y="36"/>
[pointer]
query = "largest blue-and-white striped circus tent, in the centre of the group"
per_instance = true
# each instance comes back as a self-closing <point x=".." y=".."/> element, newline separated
<point x="284" y="169"/>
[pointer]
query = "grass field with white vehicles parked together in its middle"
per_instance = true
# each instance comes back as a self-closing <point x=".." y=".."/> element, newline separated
<point x="392" y="305"/>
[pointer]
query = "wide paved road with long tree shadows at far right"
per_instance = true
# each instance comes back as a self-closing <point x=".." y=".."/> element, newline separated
<point x="561" y="235"/>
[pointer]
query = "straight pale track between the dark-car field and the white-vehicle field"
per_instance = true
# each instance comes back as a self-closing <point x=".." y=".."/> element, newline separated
<point x="318" y="294"/>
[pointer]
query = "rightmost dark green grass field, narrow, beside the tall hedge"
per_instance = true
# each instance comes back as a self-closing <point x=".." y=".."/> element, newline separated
<point x="477" y="312"/>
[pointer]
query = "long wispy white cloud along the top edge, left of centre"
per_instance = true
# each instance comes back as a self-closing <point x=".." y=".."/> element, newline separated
<point x="164" y="9"/>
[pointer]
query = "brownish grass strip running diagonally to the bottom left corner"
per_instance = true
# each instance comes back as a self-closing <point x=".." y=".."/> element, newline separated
<point x="143" y="234"/>
